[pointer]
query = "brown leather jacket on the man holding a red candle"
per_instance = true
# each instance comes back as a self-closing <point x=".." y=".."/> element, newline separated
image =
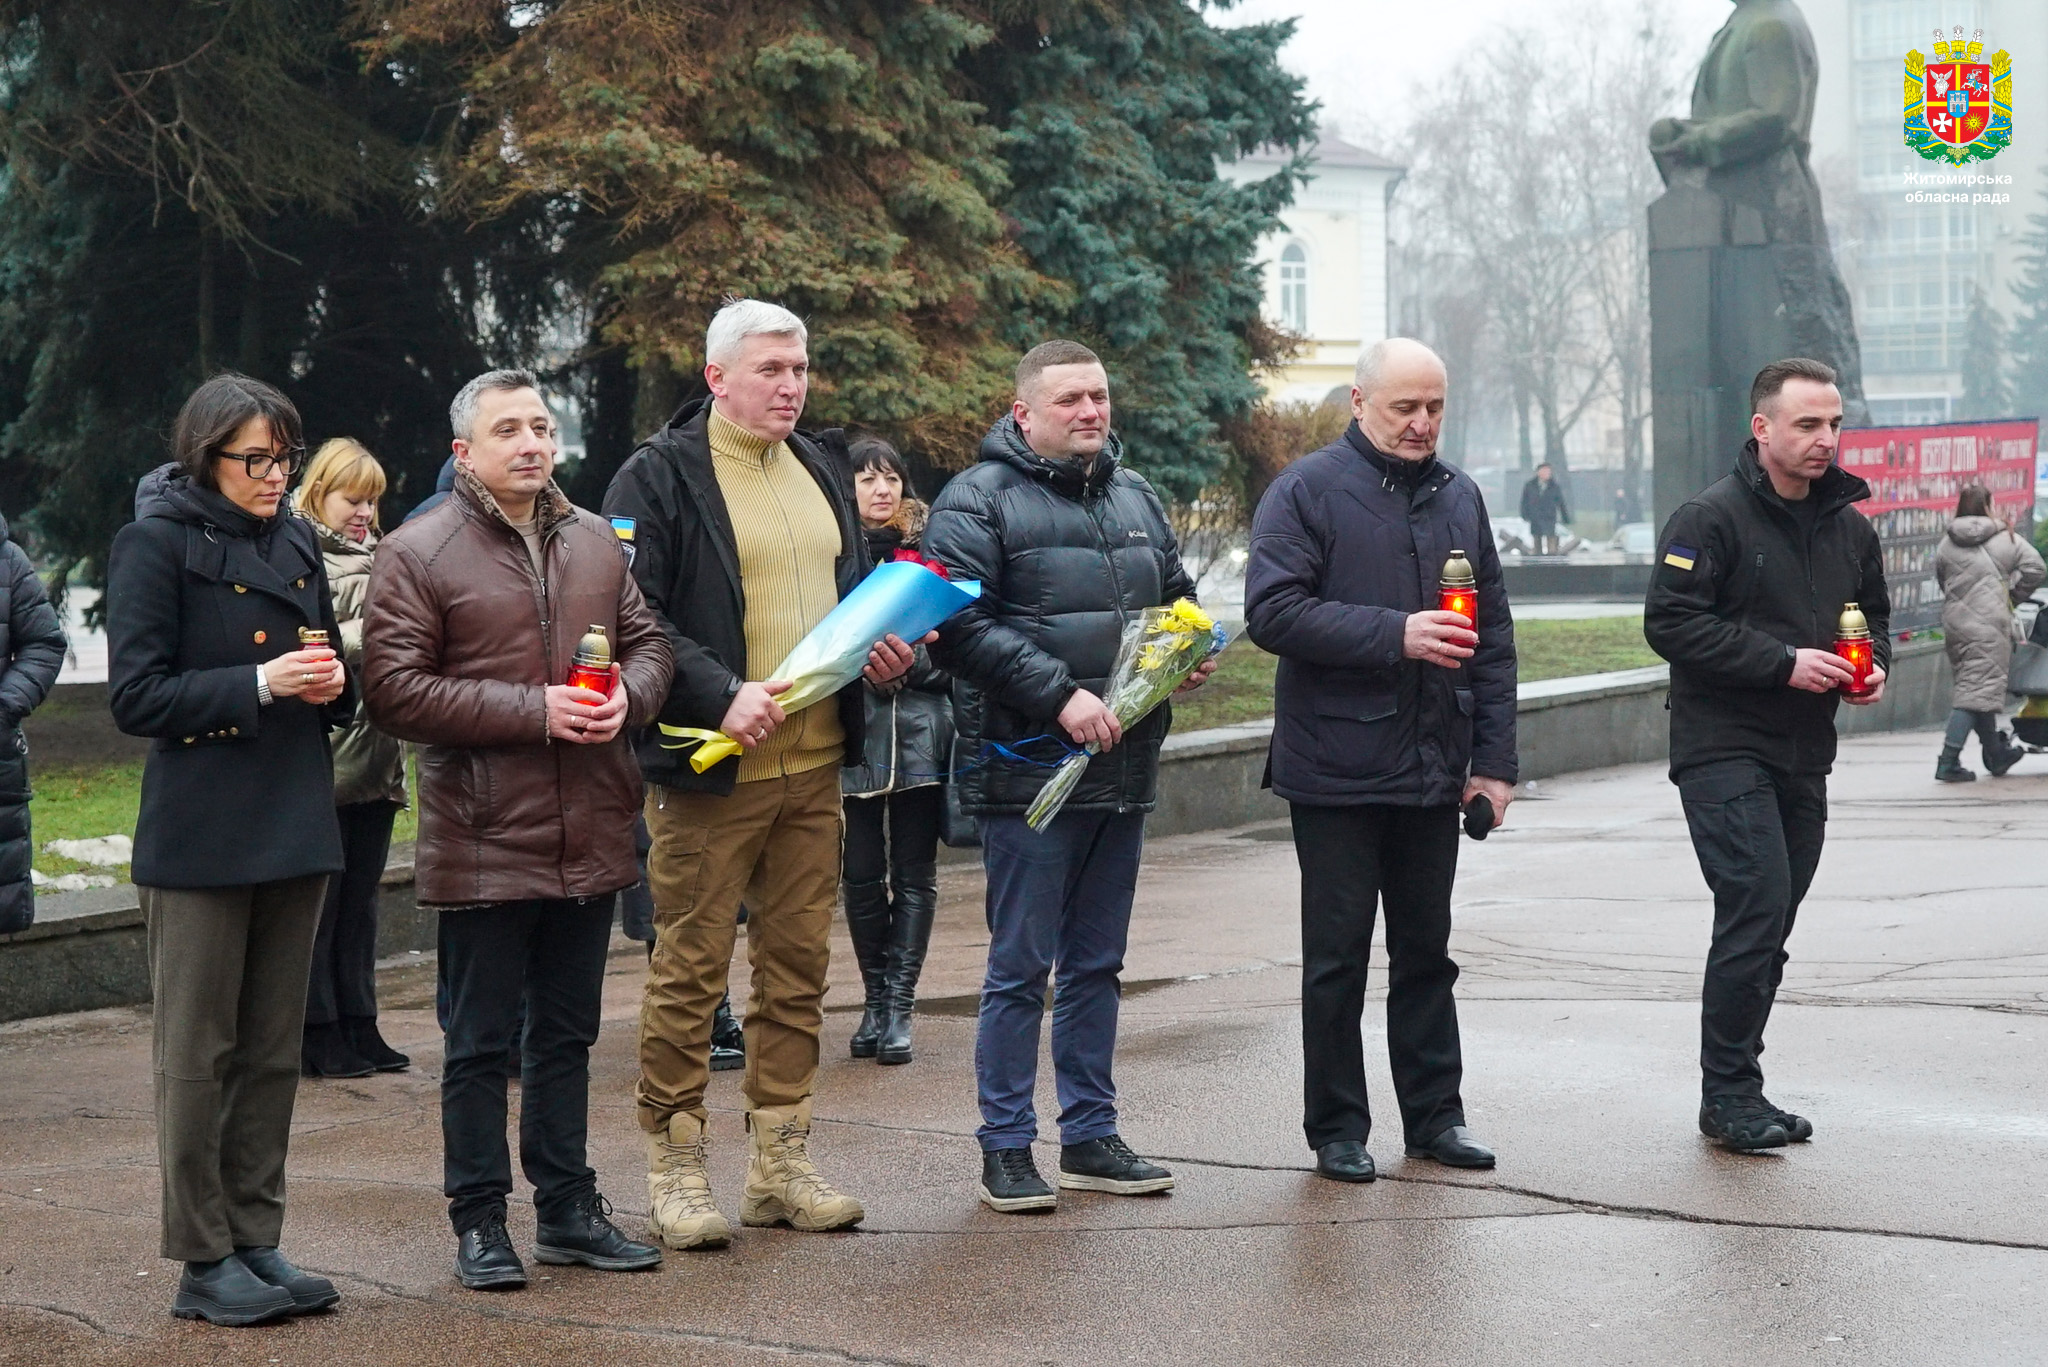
<point x="460" y="640"/>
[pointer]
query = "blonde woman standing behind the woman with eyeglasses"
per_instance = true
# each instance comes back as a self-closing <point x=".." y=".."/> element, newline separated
<point x="339" y="499"/>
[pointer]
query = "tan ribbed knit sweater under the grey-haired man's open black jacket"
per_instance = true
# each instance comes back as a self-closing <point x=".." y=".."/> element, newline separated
<point x="790" y="542"/>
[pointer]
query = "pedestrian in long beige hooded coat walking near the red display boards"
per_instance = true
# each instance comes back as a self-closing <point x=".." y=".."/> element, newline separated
<point x="1983" y="569"/>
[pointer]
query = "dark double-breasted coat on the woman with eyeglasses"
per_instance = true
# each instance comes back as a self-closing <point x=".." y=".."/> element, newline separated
<point x="200" y="593"/>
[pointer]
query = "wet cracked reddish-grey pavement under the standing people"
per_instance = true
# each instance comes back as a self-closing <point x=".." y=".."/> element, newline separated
<point x="1914" y="1030"/>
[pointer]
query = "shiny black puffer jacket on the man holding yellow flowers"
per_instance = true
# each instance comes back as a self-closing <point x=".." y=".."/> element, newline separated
<point x="1066" y="558"/>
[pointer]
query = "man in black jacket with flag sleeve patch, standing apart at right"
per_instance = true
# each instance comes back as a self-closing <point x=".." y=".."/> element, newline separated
<point x="1746" y="593"/>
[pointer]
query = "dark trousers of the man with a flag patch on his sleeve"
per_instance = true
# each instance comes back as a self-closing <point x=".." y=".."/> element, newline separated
<point x="1758" y="835"/>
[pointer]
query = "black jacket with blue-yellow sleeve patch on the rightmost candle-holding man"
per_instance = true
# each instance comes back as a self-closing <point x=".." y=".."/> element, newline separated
<point x="1738" y="589"/>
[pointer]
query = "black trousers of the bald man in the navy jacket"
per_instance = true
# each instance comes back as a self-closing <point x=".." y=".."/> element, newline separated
<point x="1355" y="860"/>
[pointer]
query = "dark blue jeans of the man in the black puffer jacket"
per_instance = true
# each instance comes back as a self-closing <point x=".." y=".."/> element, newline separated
<point x="1060" y="905"/>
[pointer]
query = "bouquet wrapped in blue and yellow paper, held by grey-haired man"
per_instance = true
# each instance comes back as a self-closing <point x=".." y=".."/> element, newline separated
<point x="900" y="599"/>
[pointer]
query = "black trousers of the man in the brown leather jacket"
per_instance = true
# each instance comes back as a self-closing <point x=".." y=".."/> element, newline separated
<point x="552" y="954"/>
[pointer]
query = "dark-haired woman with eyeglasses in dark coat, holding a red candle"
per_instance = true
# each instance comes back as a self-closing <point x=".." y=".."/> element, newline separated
<point x="208" y="593"/>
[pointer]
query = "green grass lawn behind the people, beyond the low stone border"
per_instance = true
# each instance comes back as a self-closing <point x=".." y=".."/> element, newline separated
<point x="83" y="802"/>
